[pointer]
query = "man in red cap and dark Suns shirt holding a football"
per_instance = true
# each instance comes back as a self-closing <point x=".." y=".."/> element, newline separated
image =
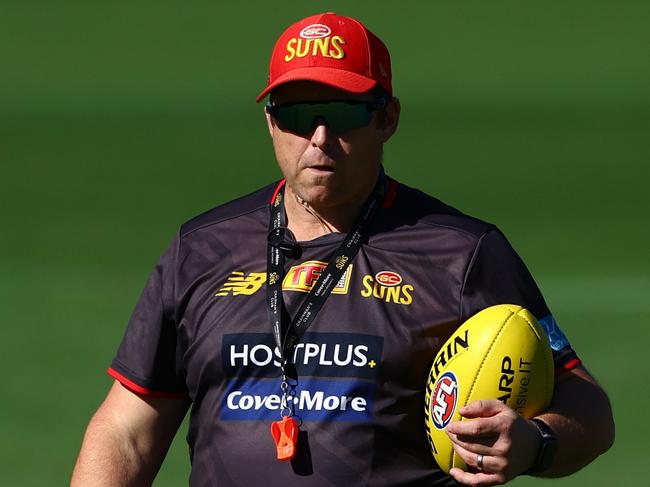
<point x="300" y="322"/>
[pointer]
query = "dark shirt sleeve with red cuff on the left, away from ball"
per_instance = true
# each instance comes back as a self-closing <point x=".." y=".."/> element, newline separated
<point x="148" y="360"/>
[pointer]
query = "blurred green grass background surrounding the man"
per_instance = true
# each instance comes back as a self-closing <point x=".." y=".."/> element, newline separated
<point x="120" y="120"/>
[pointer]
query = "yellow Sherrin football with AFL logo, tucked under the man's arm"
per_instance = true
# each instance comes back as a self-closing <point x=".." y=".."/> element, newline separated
<point x="500" y="353"/>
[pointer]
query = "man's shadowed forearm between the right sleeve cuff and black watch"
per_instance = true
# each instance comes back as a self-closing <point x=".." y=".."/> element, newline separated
<point x="581" y="418"/>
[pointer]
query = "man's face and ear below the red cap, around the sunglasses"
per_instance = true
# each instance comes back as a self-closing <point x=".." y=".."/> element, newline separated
<point x="325" y="169"/>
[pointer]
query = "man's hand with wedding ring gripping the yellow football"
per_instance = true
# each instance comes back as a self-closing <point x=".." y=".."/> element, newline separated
<point x="507" y="441"/>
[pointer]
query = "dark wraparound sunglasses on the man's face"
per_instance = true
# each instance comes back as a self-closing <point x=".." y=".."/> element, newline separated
<point x="339" y="116"/>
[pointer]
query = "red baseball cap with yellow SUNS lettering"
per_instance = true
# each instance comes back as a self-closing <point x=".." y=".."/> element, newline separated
<point x="331" y="49"/>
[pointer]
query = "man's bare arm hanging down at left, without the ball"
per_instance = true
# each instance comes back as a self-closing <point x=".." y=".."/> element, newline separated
<point x="127" y="439"/>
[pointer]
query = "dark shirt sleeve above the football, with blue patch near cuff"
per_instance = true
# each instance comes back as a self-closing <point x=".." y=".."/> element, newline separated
<point x="497" y="275"/>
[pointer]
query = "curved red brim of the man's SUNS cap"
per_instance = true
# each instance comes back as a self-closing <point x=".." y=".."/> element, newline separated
<point x="336" y="78"/>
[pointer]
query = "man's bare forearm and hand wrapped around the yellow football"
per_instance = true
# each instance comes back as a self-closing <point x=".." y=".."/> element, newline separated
<point x="580" y="416"/>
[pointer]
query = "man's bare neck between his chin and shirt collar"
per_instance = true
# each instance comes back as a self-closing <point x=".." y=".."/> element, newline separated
<point x="307" y="222"/>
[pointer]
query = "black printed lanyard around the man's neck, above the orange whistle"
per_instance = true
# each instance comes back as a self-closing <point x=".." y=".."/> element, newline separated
<point x="287" y="335"/>
